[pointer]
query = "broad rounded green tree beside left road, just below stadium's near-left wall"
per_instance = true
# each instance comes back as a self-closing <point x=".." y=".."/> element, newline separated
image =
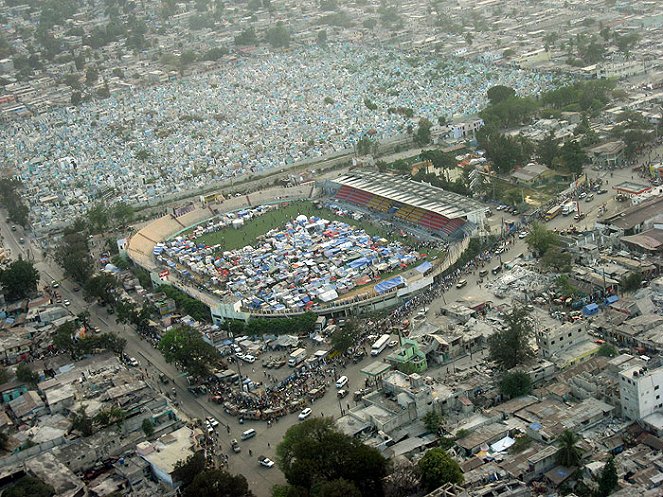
<point x="185" y="346"/>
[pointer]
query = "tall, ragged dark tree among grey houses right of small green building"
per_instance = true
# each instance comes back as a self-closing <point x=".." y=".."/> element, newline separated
<point x="510" y="347"/>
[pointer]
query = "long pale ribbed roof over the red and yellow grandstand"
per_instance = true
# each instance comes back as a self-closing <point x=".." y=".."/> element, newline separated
<point x="422" y="195"/>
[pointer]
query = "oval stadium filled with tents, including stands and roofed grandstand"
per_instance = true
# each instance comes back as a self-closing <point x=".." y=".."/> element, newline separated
<point x="359" y="243"/>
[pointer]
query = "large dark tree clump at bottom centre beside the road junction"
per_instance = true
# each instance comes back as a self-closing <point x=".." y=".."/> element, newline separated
<point x="315" y="450"/>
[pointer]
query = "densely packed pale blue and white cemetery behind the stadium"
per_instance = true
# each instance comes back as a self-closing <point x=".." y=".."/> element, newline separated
<point x="254" y="115"/>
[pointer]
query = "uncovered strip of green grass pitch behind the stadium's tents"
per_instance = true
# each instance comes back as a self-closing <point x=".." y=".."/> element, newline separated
<point x="232" y="239"/>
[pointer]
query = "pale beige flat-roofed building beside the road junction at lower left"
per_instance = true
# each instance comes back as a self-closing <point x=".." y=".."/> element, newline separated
<point x="164" y="454"/>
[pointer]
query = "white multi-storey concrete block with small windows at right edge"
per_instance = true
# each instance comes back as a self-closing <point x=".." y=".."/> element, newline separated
<point x="640" y="390"/>
